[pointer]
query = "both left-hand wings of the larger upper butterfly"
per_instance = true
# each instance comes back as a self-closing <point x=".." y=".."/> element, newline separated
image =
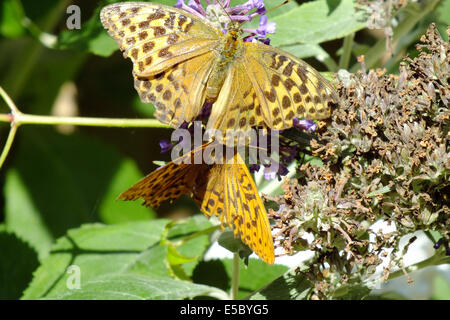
<point x="171" y="54"/>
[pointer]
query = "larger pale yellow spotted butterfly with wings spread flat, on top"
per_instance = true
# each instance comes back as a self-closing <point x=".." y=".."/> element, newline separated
<point x="180" y="61"/>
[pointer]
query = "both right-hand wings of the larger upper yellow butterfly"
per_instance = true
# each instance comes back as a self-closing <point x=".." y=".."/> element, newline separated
<point x="267" y="87"/>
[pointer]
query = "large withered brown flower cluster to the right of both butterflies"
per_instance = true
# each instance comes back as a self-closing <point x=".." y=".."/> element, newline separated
<point x="385" y="156"/>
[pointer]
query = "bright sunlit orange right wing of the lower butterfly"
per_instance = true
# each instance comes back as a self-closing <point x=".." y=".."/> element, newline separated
<point x="231" y="195"/>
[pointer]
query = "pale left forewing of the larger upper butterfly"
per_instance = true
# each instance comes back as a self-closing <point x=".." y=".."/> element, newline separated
<point x="155" y="36"/>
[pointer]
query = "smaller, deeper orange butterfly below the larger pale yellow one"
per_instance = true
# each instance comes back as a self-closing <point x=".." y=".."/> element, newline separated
<point x="225" y="189"/>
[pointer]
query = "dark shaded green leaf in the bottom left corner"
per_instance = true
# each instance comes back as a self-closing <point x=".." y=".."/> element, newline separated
<point x="17" y="263"/>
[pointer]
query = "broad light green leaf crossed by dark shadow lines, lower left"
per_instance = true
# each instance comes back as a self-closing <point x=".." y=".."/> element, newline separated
<point x="99" y="250"/>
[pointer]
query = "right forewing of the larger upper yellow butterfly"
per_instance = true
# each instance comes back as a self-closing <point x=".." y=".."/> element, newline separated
<point x="286" y="86"/>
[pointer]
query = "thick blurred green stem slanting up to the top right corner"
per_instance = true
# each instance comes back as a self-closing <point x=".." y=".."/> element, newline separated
<point x="417" y="12"/>
